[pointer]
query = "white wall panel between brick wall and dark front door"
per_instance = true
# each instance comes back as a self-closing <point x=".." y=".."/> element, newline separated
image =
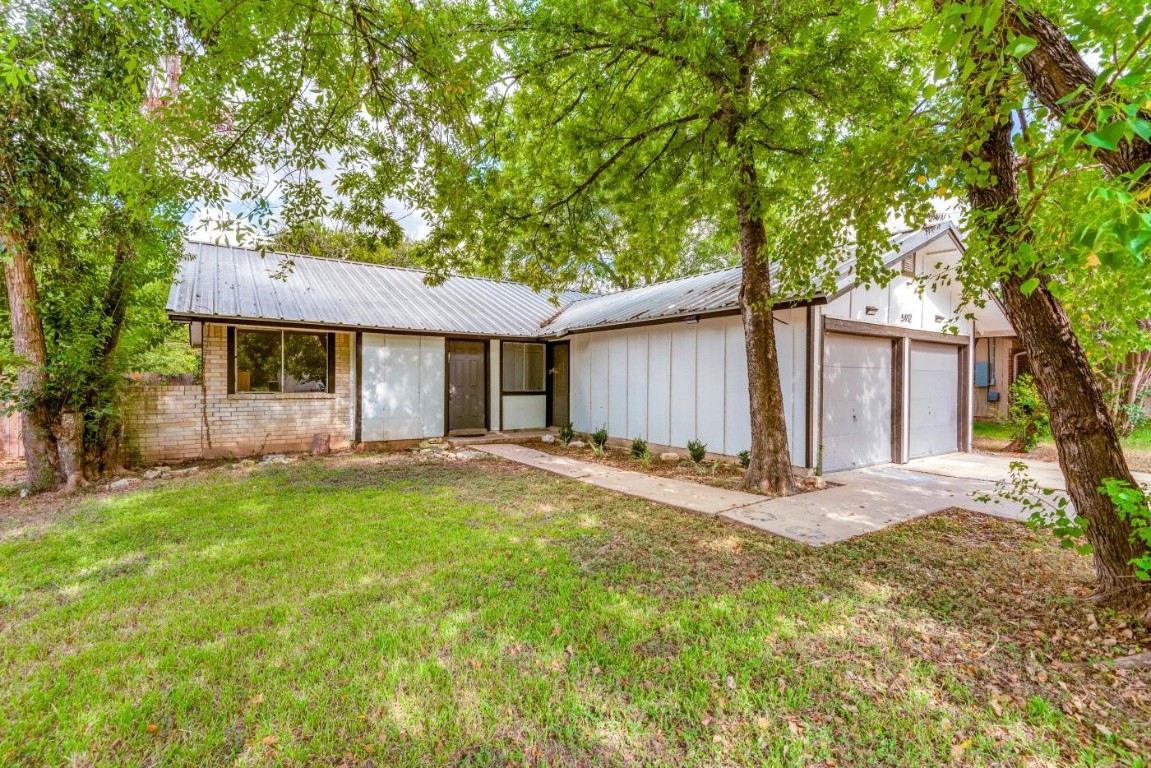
<point x="402" y="390"/>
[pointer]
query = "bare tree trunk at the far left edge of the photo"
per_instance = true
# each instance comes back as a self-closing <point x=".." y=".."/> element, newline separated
<point x="28" y="341"/>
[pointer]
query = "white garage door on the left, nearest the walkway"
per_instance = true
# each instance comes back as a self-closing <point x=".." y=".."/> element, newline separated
<point x="857" y="401"/>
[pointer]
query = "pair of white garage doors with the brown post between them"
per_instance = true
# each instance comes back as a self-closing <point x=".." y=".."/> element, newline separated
<point x="889" y="399"/>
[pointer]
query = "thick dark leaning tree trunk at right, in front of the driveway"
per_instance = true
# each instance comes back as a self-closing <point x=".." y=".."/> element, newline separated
<point x="1088" y="446"/>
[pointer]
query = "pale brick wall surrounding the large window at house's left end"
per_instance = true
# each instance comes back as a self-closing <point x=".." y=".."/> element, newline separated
<point x="177" y="423"/>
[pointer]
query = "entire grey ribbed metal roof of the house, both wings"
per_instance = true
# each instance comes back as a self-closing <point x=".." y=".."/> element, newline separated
<point x="226" y="283"/>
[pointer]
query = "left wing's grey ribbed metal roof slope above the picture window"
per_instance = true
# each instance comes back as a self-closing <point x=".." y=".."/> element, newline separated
<point x="226" y="283"/>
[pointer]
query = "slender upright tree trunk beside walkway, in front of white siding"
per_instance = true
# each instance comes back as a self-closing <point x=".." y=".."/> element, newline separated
<point x="771" y="468"/>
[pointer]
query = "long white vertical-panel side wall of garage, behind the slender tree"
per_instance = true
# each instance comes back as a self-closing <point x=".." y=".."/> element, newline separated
<point x="675" y="383"/>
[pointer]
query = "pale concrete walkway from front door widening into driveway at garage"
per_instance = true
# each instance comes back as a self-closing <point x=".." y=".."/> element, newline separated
<point x="866" y="500"/>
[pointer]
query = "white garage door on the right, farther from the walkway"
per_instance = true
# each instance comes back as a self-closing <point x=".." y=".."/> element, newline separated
<point x="935" y="400"/>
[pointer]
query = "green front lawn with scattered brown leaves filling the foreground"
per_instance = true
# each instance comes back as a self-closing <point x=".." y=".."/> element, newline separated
<point x="382" y="612"/>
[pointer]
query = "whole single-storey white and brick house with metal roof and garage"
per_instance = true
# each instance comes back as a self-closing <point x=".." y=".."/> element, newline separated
<point x="373" y="356"/>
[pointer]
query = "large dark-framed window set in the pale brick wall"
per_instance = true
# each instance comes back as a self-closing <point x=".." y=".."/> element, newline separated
<point x="283" y="361"/>
